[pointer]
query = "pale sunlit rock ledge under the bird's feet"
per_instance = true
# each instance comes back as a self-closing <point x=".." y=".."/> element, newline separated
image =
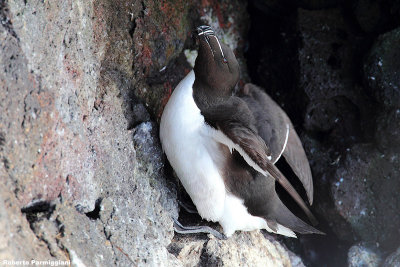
<point x="243" y="249"/>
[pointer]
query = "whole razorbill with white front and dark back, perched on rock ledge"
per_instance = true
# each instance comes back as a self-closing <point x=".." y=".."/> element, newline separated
<point x="223" y="147"/>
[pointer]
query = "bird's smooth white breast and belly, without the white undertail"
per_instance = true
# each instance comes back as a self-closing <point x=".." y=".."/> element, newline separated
<point x="184" y="140"/>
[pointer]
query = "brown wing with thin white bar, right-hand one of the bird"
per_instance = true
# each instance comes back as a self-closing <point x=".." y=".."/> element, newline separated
<point x="272" y="124"/>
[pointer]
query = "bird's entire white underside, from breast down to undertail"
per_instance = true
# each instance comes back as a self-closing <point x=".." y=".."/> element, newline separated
<point x="192" y="148"/>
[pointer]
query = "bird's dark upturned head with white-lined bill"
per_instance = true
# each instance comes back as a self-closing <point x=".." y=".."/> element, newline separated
<point x="216" y="65"/>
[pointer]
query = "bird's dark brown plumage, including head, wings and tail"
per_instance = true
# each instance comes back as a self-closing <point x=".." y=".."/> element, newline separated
<point x="260" y="127"/>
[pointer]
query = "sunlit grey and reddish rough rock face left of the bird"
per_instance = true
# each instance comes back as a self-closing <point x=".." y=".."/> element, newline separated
<point x="86" y="194"/>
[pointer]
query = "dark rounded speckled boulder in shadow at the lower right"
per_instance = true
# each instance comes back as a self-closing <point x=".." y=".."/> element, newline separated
<point x="365" y="196"/>
